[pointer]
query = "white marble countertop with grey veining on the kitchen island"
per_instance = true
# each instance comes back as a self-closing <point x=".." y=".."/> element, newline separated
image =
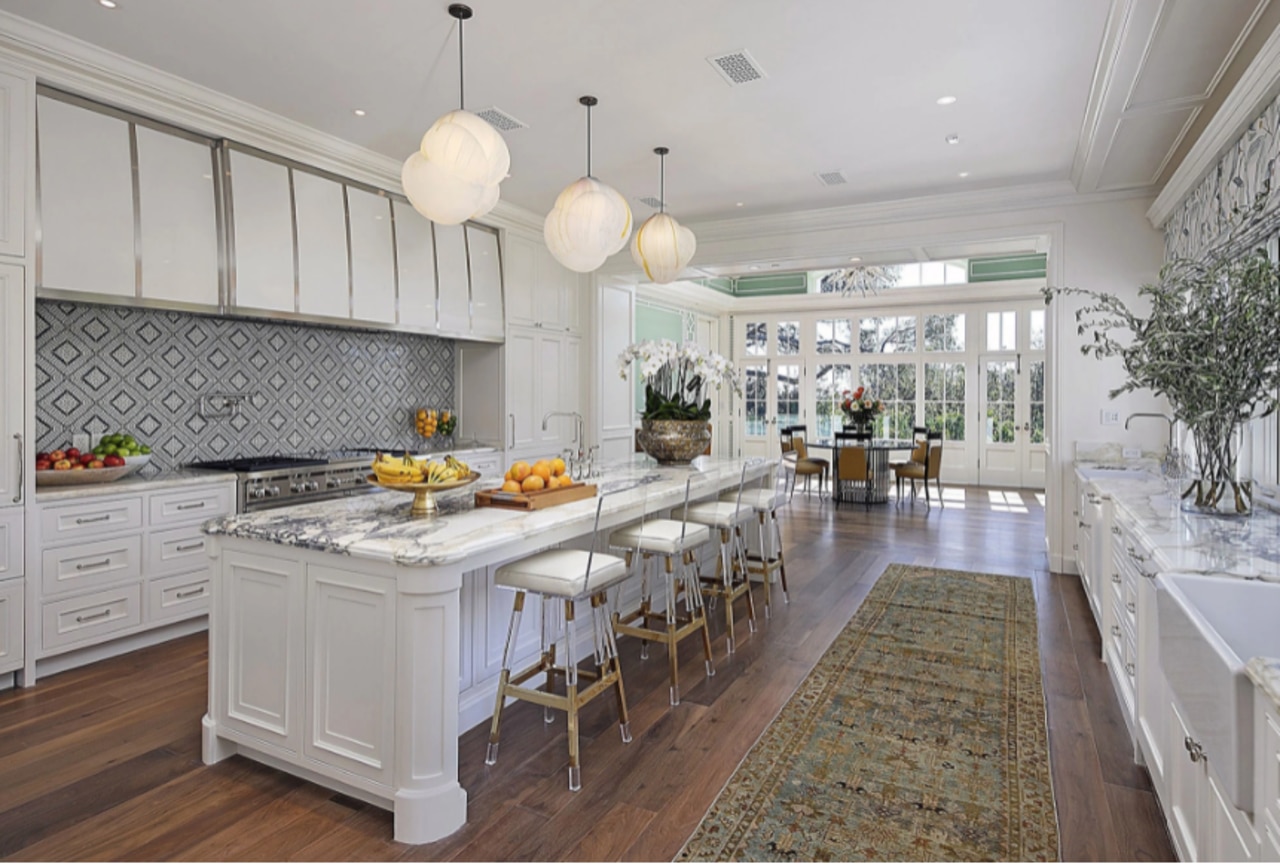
<point x="378" y="527"/>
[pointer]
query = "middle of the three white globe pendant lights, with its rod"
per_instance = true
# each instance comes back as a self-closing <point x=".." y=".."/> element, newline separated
<point x="591" y="221"/>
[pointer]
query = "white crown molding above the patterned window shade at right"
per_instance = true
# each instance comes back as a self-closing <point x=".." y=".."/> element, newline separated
<point x="1255" y="92"/>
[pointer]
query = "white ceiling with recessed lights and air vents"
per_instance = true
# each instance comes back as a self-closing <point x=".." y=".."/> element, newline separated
<point x="852" y="85"/>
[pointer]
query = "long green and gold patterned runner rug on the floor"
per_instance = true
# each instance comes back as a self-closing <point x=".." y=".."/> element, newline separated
<point x="920" y="736"/>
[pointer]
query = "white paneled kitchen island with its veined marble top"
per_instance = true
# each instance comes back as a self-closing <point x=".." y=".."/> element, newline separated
<point x="339" y="629"/>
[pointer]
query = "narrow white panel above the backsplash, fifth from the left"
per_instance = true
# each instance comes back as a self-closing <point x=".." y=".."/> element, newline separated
<point x="373" y="268"/>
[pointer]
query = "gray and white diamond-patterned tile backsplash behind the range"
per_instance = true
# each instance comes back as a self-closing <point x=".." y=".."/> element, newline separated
<point x="310" y="389"/>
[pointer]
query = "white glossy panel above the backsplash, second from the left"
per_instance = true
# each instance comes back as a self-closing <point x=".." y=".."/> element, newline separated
<point x="179" y="227"/>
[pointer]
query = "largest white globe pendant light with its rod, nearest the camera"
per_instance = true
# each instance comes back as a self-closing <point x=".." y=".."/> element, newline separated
<point x="455" y="174"/>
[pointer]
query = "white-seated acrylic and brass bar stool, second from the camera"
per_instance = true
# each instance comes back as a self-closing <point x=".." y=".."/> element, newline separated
<point x="675" y="542"/>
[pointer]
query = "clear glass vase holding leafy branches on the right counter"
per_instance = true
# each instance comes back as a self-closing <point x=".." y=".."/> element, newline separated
<point x="1220" y="474"/>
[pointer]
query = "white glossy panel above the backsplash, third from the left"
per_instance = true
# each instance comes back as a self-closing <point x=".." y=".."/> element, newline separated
<point x="262" y="222"/>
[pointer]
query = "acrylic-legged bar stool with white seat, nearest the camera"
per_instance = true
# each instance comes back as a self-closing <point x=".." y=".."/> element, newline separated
<point x="563" y="577"/>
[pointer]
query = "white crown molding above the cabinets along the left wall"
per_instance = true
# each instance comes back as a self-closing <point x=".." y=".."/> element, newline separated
<point x="86" y="70"/>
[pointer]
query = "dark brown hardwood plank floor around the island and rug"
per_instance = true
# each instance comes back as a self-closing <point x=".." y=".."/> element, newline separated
<point x="104" y="763"/>
